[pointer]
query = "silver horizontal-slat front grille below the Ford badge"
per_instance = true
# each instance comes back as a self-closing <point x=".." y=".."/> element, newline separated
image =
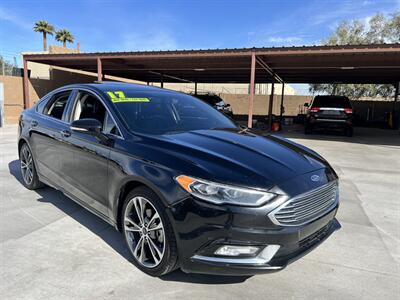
<point x="306" y="207"/>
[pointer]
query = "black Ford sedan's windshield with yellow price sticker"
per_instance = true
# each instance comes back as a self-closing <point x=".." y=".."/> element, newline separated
<point x="167" y="112"/>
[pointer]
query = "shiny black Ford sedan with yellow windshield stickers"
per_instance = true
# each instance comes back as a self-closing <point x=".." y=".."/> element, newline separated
<point x="186" y="187"/>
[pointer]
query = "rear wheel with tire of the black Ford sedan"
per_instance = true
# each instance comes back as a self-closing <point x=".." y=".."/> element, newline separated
<point x="30" y="178"/>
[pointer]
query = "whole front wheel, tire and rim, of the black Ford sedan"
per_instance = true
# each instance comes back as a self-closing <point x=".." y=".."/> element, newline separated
<point x="148" y="233"/>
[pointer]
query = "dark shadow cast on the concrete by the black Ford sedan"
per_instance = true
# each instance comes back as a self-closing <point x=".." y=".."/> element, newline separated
<point x="109" y="234"/>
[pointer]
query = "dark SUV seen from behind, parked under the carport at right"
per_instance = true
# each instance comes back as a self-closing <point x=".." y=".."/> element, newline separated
<point x="330" y="112"/>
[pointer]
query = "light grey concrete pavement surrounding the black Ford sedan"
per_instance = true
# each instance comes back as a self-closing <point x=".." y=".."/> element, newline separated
<point x="51" y="248"/>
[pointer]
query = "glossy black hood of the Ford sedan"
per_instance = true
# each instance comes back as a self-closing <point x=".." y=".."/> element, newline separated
<point x="241" y="158"/>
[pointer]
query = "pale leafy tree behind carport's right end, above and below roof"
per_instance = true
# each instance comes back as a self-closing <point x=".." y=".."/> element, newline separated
<point x="376" y="30"/>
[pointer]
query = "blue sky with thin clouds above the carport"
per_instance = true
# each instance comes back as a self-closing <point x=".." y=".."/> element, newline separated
<point x="160" y="25"/>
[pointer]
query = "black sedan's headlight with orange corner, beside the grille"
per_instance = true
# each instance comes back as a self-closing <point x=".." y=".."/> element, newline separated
<point x="223" y="194"/>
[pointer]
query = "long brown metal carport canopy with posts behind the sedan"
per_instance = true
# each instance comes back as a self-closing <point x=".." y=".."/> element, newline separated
<point x="375" y="64"/>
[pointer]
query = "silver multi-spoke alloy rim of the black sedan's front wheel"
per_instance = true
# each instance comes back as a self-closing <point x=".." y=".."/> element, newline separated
<point x="144" y="232"/>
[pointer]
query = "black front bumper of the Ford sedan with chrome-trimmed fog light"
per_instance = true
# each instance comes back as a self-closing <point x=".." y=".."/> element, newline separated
<point x="201" y="228"/>
